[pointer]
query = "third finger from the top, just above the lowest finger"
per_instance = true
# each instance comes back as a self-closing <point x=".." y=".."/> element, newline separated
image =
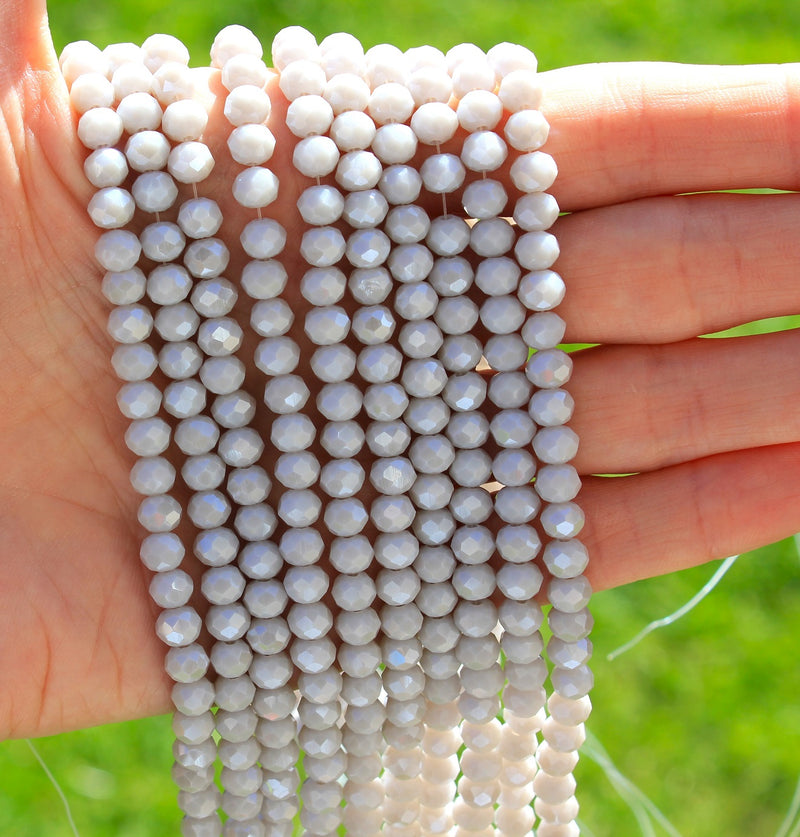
<point x="639" y="409"/>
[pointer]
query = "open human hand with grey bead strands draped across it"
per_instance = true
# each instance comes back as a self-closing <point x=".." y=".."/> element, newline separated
<point x="707" y="424"/>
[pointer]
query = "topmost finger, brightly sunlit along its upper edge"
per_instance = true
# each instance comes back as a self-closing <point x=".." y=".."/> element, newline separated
<point x="624" y="131"/>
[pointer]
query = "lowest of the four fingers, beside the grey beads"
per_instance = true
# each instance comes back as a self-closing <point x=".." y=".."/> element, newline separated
<point x="648" y="525"/>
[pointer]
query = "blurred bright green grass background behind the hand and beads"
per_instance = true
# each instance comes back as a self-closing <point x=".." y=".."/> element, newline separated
<point x="703" y="716"/>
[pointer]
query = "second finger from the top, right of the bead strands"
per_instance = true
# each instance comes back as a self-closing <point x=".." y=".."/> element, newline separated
<point x="665" y="269"/>
